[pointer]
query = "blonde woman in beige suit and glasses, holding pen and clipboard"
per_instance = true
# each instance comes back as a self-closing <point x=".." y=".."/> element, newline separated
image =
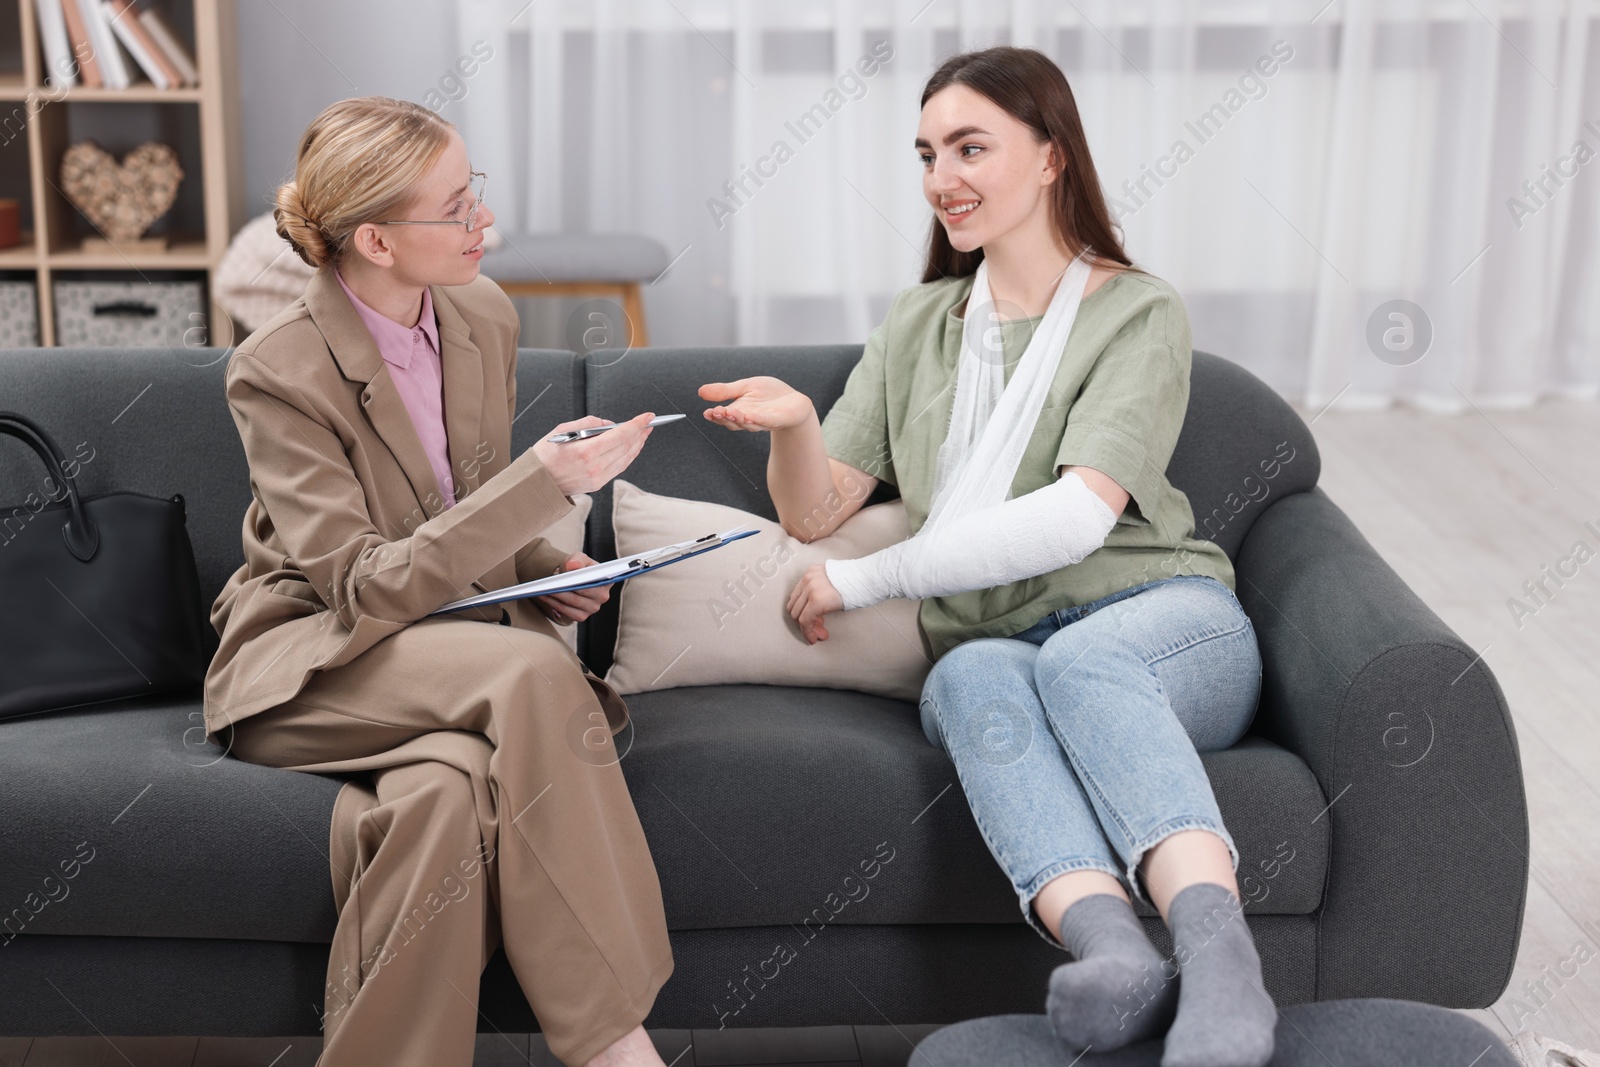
<point x="375" y="415"/>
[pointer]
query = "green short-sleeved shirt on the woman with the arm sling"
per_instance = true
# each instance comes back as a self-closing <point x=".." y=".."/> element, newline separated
<point x="1118" y="404"/>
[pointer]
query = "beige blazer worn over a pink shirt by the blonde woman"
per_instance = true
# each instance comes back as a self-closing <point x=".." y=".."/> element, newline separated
<point x="346" y="537"/>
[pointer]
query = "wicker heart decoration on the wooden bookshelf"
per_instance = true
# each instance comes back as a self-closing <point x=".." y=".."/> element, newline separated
<point x="121" y="199"/>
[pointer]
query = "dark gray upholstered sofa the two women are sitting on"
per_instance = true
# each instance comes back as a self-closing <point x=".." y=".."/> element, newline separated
<point x="1377" y="801"/>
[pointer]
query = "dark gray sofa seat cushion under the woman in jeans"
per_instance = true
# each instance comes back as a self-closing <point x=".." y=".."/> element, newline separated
<point x="834" y="777"/>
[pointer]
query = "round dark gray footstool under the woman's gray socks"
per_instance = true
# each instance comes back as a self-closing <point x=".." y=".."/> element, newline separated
<point x="1370" y="1033"/>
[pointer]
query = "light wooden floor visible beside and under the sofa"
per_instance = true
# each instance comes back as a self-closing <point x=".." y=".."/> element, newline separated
<point x="1466" y="510"/>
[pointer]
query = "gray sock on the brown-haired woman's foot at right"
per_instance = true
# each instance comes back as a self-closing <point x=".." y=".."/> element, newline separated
<point x="1225" y="1015"/>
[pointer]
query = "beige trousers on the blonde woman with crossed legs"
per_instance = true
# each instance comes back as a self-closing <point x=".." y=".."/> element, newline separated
<point x="497" y="813"/>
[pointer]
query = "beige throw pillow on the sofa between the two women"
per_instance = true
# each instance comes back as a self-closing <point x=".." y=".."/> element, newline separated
<point x="722" y="618"/>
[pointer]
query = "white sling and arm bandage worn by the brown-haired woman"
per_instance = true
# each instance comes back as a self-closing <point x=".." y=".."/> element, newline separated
<point x="977" y="537"/>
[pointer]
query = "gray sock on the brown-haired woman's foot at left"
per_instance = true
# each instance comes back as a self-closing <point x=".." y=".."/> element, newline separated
<point x="1119" y="989"/>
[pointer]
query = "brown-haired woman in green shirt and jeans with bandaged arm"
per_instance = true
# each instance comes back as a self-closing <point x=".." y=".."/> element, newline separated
<point x="1026" y="399"/>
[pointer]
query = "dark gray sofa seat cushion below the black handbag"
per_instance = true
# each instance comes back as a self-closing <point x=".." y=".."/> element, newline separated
<point x="178" y="841"/>
